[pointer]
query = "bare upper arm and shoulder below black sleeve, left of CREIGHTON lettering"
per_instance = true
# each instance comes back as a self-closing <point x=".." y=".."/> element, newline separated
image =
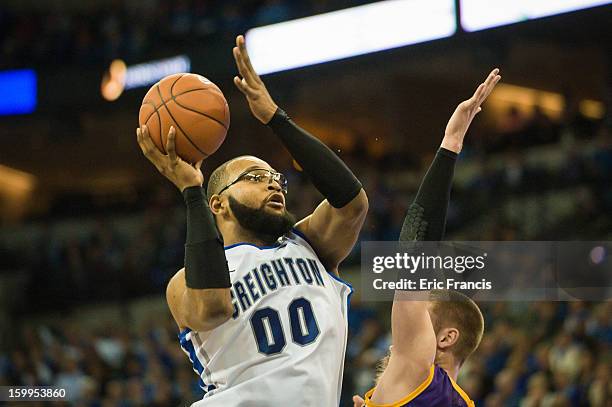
<point x="199" y="310"/>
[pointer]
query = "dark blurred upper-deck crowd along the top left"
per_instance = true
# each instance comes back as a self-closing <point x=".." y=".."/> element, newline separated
<point x="130" y="29"/>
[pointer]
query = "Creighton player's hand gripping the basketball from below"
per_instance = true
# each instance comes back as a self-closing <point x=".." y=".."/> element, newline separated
<point x="182" y="174"/>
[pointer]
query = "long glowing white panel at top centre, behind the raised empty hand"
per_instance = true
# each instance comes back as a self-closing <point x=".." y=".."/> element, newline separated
<point x="349" y="32"/>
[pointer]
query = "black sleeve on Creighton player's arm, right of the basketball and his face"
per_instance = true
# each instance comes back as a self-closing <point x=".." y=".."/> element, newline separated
<point x="324" y="168"/>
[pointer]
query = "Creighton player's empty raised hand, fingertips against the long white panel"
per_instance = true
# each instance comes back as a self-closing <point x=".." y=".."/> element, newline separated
<point x="251" y="86"/>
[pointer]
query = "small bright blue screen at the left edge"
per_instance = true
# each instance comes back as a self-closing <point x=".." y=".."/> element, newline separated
<point x="19" y="90"/>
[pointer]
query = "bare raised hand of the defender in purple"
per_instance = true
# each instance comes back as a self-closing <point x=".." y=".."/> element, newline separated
<point x="466" y="111"/>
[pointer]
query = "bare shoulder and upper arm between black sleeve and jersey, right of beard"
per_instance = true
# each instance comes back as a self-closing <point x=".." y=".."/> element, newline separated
<point x="334" y="231"/>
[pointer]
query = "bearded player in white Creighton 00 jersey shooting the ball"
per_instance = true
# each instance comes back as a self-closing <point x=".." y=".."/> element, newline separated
<point x="263" y="319"/>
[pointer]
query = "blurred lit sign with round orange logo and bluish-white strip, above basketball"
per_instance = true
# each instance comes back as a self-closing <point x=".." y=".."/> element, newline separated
<point x="120" y="77"/>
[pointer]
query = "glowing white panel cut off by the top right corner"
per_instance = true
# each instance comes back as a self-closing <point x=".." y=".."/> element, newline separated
<point x="481" y="14"/>
